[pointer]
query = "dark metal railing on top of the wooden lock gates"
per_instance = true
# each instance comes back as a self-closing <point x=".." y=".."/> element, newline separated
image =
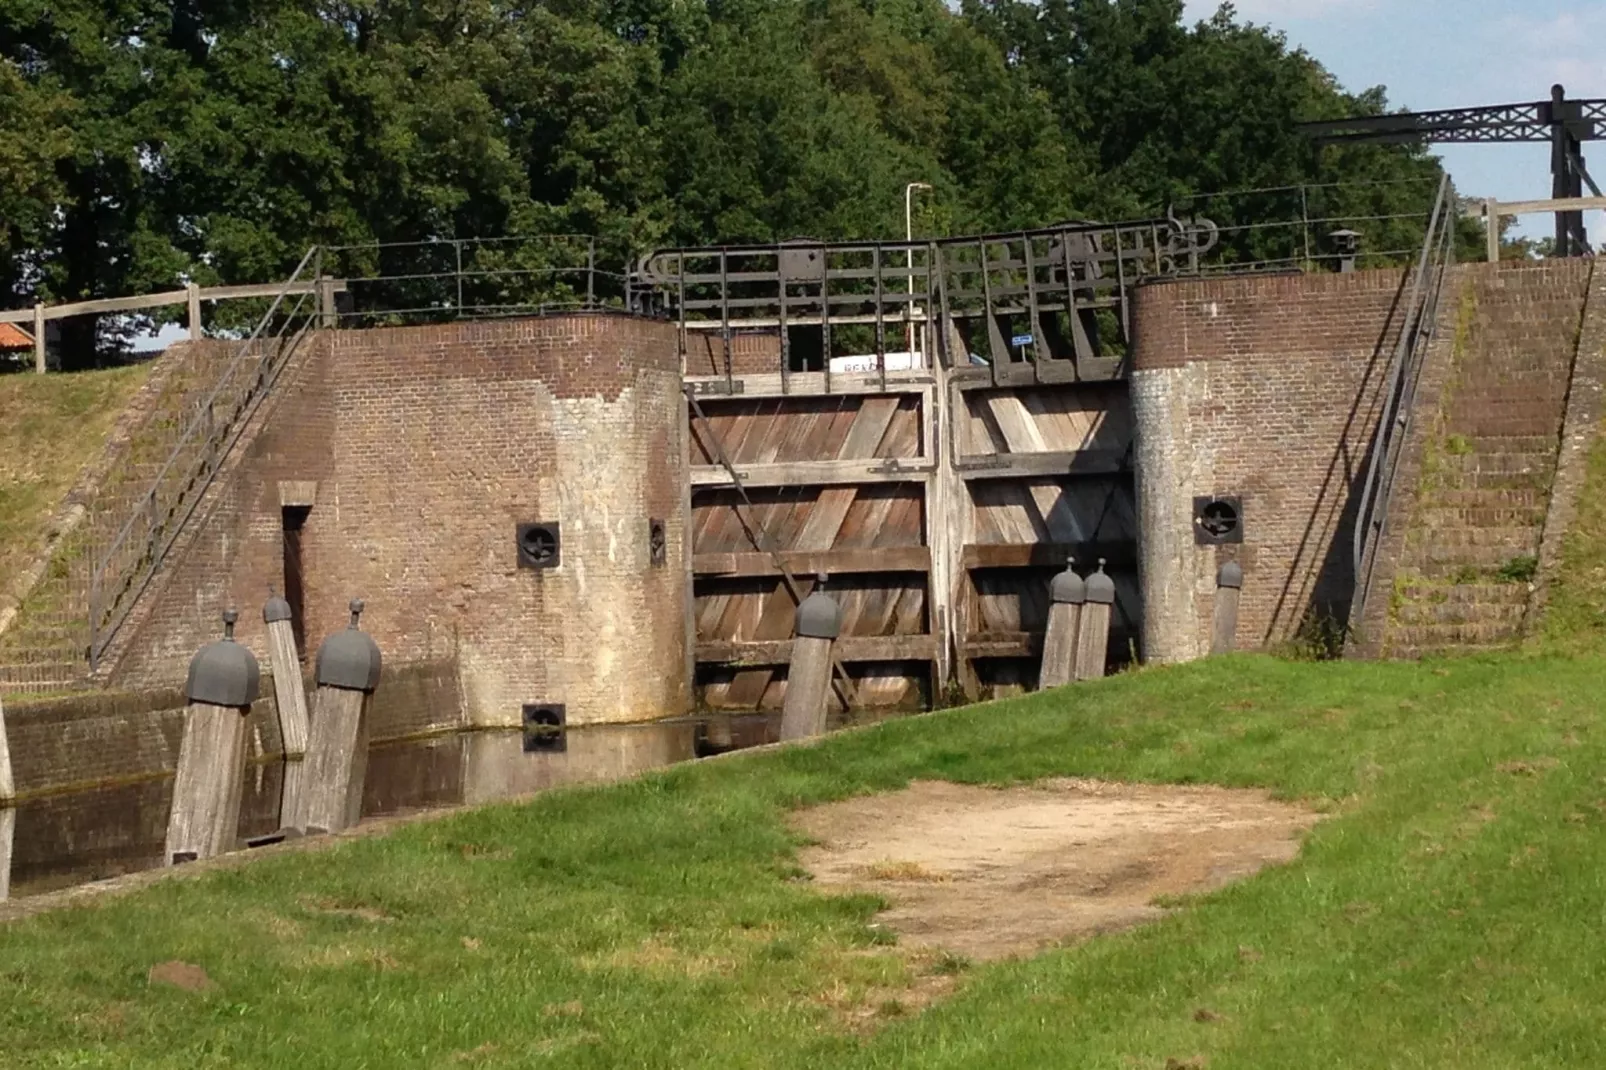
<point x="1024" y="298"/>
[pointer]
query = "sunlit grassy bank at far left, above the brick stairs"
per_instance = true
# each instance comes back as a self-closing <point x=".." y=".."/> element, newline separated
<point x="51" y="428"/>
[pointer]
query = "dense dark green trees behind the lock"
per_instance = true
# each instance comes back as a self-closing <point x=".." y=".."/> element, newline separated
<point x="155" y="142"/>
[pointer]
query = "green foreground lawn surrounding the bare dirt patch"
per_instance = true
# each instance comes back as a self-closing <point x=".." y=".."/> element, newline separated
<point x="1449" y="913"/>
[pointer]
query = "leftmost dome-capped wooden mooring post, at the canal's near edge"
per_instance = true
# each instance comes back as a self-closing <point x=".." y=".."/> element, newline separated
<point x="224" y="682"/>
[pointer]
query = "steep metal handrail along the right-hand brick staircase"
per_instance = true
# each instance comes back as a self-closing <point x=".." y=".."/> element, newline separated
<point x="1421" y="312"/>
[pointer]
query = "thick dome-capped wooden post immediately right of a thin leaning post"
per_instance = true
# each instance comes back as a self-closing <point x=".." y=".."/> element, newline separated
<point x="338" y="745"/>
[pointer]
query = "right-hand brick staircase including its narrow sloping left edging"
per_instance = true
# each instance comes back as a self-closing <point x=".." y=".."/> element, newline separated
<point x="1482" y="492"/>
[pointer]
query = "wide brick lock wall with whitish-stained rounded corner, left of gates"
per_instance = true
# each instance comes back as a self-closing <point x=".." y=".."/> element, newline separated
<point x="420" y="451"/>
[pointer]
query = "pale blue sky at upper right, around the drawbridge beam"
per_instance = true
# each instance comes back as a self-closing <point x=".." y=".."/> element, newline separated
<point x="1459" y="54"/>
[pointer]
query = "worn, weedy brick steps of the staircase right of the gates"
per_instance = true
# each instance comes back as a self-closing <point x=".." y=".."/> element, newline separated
<point x="1474" y="541"/>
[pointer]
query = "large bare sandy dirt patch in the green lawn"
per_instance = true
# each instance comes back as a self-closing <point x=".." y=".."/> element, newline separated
<point x="992" y="873"/>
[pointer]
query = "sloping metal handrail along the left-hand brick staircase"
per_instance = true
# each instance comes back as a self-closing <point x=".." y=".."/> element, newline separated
<point x="123" y="571"/>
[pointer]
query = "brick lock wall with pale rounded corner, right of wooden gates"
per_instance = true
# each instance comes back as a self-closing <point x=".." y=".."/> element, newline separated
<point x="1268" y="390"/>
